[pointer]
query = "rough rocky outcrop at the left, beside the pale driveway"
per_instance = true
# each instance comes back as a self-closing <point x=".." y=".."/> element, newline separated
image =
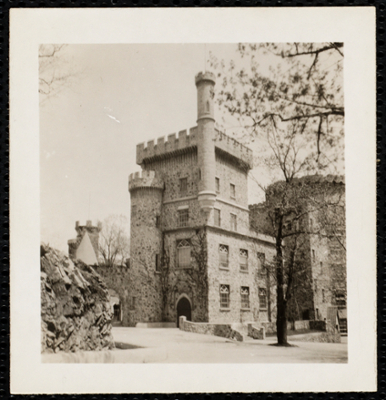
<point x="75" y="305"/>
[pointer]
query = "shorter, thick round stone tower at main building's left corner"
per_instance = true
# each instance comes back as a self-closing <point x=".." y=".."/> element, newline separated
<point x="146" y="189"/>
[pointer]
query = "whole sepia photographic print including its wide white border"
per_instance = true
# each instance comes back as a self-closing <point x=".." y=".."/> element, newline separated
<point x="197" y="209"/>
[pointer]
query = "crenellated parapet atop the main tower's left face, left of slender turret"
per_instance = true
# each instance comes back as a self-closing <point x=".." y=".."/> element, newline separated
<point x="174" y="144"/>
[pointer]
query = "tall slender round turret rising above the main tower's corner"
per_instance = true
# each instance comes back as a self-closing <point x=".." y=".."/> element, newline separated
<point x="206" y="135"/>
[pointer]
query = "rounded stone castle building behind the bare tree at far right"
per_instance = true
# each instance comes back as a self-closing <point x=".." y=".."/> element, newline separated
<point x="321" y="232"/>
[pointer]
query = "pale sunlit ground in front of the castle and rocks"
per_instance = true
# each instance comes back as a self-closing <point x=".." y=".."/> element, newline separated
<point x="170" y="345"/>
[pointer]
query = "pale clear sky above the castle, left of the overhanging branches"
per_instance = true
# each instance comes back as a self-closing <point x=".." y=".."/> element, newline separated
<point x="115" y="97"/>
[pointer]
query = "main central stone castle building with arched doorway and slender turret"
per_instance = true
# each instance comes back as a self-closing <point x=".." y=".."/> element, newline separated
<point x="192" y="250"/>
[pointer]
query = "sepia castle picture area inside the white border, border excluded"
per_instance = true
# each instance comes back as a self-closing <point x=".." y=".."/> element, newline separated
<point x="193" y="202"/>
